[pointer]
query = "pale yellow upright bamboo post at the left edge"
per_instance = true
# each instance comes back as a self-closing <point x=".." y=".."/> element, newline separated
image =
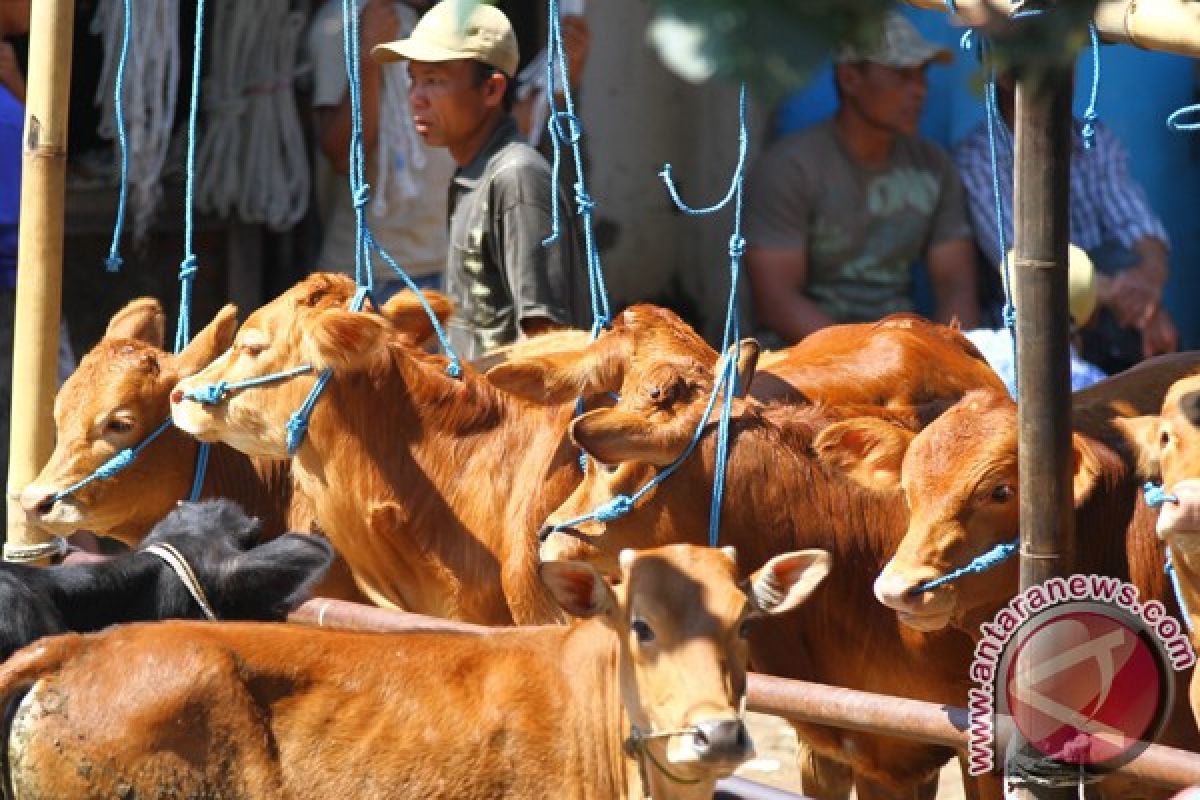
<point x="40" y="256"/>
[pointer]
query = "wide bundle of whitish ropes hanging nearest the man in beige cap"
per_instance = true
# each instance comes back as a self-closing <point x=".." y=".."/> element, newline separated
<point x="251" y="157"/>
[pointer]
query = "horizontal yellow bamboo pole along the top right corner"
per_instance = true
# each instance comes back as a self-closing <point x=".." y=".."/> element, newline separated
<point x="1165" y="26"/>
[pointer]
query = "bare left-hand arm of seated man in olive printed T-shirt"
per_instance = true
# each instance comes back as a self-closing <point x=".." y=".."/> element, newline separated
<point x="778" y="278"/>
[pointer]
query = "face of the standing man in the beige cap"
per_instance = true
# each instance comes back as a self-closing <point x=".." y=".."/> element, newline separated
<point x="449" y="101"/>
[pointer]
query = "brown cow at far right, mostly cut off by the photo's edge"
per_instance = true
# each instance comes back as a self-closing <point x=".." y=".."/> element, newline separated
<point x="1169" y="448"/>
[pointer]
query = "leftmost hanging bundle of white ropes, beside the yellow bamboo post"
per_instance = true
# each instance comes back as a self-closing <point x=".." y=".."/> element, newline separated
<point x="152" y="83"/>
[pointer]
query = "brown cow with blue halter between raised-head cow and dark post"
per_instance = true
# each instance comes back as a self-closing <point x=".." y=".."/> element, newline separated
<point x="779" y="497"/>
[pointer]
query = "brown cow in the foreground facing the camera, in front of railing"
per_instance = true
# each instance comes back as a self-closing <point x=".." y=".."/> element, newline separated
<point x="655" y="681"/>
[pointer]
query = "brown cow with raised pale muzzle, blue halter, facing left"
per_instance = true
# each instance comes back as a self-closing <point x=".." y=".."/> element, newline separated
<point x="431" y="488"/>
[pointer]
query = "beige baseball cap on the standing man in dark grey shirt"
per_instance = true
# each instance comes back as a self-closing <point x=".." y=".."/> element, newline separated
<point x="447" y="34"/>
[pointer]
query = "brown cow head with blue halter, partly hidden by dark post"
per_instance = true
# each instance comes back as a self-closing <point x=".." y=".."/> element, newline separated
<point x="959" y="478"/>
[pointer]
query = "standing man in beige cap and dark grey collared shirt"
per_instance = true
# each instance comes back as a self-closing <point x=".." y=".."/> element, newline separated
<point x="503" y="281"/>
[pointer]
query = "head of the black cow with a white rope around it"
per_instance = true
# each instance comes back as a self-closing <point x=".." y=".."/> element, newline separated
<point x="242" y="579"/>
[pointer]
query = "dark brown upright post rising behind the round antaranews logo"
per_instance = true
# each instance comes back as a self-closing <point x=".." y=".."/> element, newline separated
<point x="1041" y="231"/>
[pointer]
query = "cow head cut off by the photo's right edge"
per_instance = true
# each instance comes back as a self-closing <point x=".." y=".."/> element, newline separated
<point x="1168" y="446"/>
